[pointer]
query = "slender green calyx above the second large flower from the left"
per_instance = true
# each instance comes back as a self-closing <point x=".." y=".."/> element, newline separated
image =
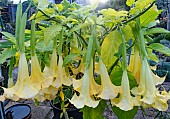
<point x="33" y="38"/>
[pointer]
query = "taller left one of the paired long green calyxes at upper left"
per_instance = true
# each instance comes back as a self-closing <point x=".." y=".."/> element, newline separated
<point x="18" y="22"/>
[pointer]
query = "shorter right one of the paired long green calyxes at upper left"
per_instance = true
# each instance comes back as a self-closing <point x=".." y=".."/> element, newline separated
<point x="22" y="32"/>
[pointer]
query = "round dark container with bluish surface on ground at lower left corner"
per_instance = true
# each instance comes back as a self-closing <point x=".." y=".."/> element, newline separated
<point x="18" y="111"/>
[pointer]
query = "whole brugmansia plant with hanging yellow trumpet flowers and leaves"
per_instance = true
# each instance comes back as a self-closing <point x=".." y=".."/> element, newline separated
<point x="102" y="56"/>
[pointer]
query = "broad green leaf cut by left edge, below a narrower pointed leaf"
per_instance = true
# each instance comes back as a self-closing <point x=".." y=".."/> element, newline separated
<point x="7" y="54"/>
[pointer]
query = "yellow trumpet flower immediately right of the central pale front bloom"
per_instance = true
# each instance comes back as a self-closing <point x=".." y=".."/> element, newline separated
<point x="108" y="89"/>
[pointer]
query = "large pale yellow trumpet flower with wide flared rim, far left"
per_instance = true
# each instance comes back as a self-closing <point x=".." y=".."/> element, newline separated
<point x="24" y="88"/>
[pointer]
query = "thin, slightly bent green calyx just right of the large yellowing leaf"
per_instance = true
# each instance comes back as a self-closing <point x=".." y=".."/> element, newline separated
<point x="124" y="57"/>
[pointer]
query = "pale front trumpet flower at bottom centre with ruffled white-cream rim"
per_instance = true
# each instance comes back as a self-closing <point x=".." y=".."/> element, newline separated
<point x="84" y="97"/>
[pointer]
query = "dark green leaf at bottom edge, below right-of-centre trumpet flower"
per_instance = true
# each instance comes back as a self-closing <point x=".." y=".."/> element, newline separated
<point x="125" y="114"/>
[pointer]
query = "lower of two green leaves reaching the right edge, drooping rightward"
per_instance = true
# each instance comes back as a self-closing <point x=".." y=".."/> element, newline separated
<point x="161" y="48"/>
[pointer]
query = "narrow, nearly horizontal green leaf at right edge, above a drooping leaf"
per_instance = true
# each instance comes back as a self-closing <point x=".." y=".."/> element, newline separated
<point x="156" y="30"/>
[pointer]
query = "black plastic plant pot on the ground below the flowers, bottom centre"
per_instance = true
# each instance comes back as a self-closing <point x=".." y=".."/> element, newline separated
<point x="72" y="114"/>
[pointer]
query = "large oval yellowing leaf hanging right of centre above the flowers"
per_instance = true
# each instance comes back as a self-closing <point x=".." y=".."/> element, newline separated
<point x="110" y="46"/>
